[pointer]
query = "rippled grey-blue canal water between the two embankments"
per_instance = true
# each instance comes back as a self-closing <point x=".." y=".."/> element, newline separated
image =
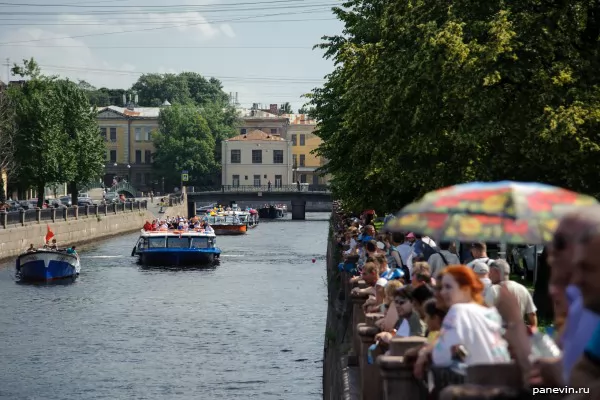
<point x="250" y="328"/>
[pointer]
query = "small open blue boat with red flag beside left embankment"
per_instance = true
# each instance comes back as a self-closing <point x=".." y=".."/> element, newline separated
<point x="47" y="265"/>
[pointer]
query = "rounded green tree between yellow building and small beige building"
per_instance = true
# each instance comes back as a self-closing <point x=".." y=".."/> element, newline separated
<point x="184" y="142"/>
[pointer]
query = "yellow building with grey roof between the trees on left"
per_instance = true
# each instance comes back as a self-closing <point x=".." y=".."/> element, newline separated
<point x="129" y="148"/>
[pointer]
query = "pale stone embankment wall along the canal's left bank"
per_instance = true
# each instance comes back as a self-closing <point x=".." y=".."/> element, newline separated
<point x="15" y="239"/>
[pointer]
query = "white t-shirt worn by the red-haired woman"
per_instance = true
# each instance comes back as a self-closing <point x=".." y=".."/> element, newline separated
<point x="478" y="329"/>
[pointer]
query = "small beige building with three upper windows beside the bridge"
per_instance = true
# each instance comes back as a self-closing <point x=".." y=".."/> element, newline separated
<point x="256" y="158"/>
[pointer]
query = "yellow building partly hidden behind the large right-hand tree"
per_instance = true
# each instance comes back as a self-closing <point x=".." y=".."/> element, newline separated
<point x="304" y="141"/>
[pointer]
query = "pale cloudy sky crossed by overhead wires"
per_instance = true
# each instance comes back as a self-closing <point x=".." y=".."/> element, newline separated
<point x="261" y="50"/>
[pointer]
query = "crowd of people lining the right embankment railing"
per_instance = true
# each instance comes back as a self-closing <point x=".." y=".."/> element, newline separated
<point x="470" y="311"/>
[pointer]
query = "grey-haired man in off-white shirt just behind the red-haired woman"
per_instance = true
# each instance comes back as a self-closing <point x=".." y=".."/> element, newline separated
<point x="500" y="276"/>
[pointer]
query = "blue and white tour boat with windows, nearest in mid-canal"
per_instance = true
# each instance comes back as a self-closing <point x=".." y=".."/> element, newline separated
<point x="176" y="248"/>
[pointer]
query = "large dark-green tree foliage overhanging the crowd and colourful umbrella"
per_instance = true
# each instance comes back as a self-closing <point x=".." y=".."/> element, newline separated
<point x="426" y="94"/>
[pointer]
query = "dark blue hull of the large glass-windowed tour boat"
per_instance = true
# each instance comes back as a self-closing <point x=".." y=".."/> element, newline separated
<point x="178" y="257"/>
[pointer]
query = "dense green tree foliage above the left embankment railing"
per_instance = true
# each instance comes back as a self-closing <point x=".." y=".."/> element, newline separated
<point x="57" y="138"/>
